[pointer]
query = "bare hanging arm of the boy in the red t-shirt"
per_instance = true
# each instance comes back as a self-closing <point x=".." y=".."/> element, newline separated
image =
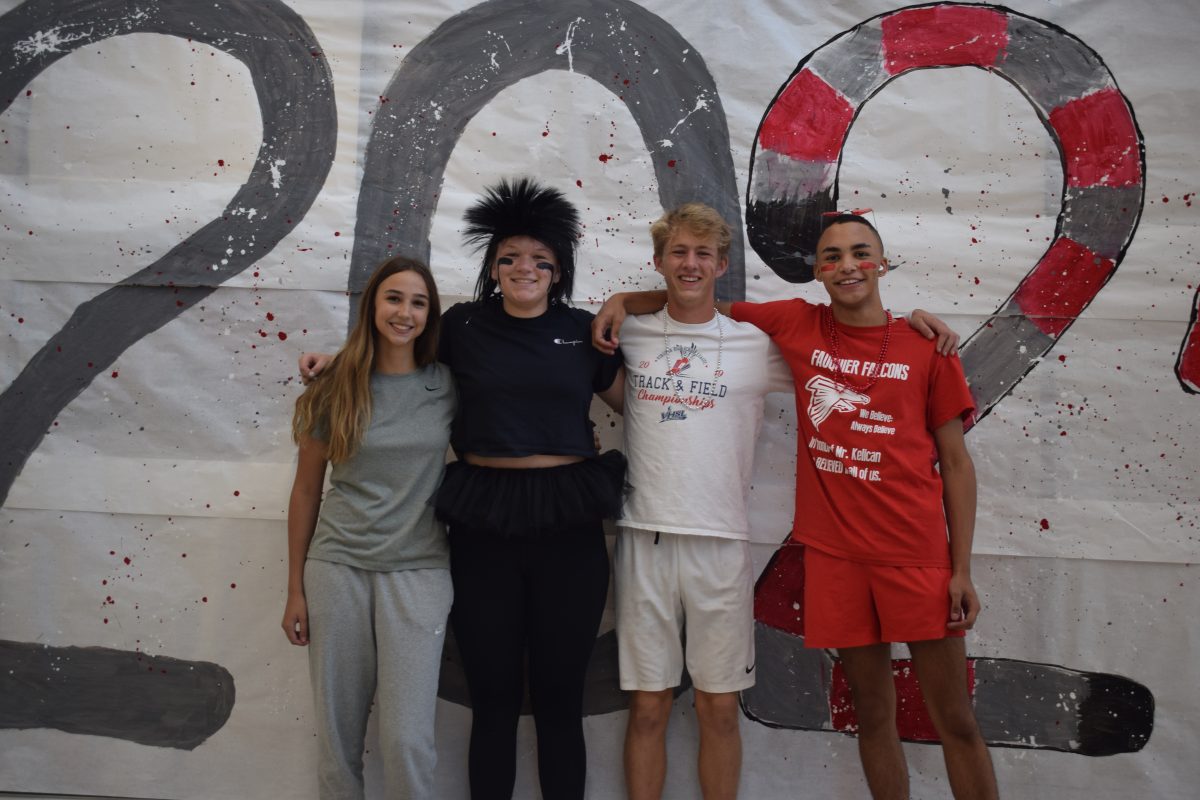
<point x="959" y="500"/>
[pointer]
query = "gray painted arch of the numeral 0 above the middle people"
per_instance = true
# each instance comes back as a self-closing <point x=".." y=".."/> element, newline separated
<point x="471" y="58"/>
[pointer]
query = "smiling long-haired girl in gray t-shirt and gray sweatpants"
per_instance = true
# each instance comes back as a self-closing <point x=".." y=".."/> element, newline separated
<point x="369" y="586"/>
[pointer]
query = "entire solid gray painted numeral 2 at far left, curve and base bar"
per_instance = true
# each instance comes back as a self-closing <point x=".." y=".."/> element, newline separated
<point x="296" y="97"/>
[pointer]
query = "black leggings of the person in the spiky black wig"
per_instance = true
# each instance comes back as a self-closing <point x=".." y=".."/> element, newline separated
<point x="539" y="597"/>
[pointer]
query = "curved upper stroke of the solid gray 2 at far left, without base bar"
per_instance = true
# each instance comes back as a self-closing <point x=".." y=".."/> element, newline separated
<point x="296" y="98"/>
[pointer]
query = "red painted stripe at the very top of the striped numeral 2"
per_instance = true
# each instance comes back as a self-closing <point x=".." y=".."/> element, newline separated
<point x="944" y="37"/>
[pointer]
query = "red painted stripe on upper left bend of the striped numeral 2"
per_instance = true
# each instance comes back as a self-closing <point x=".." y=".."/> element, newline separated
<point x="808" y="122"/>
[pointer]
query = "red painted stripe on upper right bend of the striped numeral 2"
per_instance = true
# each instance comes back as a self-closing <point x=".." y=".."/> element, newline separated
<point x="1100" y="142"/>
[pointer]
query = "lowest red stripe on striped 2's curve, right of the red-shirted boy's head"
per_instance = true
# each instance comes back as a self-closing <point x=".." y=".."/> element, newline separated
<point x="1061" y="286"/>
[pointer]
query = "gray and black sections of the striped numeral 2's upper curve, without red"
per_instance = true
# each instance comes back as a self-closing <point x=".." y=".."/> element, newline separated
<point x="1048" y="67"/>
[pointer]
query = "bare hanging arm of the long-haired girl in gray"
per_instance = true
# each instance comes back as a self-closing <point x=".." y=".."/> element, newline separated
<point x="303" y="510"/>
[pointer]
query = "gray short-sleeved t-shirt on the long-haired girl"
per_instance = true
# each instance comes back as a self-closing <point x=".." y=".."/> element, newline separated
<point x="377" y="513"/>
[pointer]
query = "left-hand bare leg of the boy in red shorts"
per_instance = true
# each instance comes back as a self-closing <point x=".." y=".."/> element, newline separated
<point x="869" y="672"/>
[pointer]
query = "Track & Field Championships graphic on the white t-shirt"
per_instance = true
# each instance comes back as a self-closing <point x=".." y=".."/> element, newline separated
<point x="687" y="382"/>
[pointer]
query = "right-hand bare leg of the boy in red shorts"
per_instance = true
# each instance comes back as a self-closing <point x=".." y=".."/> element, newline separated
<point x="943" y="671"/>
